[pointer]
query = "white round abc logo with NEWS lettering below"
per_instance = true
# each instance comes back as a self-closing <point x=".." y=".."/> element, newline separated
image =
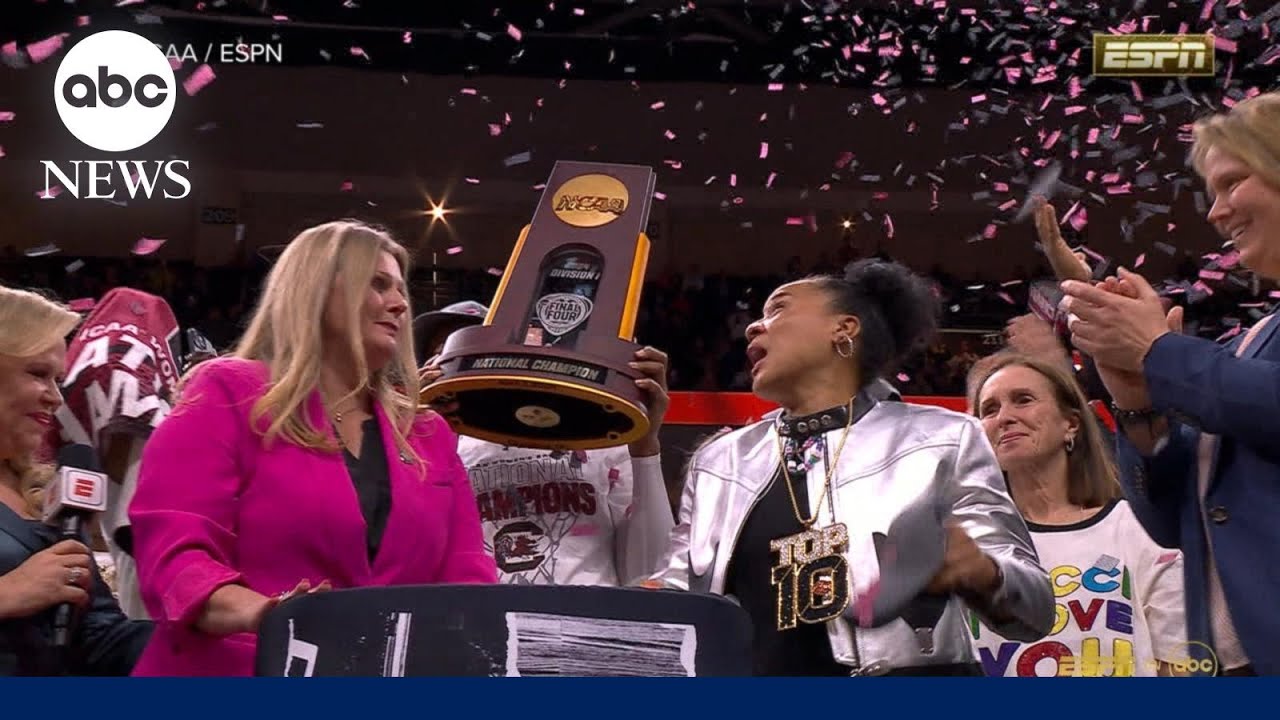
<point x="116" y="92"/>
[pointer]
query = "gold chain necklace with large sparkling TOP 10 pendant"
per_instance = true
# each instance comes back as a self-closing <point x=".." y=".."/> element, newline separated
<point x="811" y="578"/>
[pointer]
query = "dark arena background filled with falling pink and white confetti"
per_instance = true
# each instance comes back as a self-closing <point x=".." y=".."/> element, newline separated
<point x="789" y="138"/>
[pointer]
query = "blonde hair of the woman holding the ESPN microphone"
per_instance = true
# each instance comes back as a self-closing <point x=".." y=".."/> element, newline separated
<point x="31" y="325"/>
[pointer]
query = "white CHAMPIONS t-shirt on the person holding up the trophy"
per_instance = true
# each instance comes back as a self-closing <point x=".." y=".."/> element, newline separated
<point x="578" y="518"/>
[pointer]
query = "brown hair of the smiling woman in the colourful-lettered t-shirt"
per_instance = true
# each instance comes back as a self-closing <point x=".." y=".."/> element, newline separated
<point x="1092" y="480"/>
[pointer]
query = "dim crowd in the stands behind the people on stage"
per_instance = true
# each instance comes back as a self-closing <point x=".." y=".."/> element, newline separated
<point x="701" y="317"/>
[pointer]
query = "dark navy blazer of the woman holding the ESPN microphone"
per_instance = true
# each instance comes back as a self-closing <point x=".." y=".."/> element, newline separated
<point x="104" y="642"/>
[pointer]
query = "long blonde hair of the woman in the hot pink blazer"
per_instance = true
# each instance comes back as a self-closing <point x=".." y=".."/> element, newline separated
<point x="286" y="332"/>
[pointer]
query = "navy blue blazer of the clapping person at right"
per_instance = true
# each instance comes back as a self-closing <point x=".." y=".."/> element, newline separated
<point x="1204" y="386"/>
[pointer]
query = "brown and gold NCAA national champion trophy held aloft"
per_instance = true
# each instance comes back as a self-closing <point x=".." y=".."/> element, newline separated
<point x="548" y="368"/>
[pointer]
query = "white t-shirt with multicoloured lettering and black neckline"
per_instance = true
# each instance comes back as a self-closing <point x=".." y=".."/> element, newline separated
<point x="1119" y="604"/>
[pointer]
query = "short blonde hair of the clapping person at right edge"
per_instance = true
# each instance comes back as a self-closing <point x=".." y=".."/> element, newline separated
<point x="1250" y="131"/>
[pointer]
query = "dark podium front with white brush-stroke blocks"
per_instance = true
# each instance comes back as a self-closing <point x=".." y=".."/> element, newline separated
<point x="505" y="631"/>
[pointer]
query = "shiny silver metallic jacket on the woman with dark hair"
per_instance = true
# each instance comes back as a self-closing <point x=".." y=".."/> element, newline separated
<point x="897" y="457"/>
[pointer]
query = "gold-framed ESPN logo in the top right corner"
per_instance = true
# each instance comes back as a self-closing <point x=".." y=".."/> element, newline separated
<point x="1154" y="56"/>
